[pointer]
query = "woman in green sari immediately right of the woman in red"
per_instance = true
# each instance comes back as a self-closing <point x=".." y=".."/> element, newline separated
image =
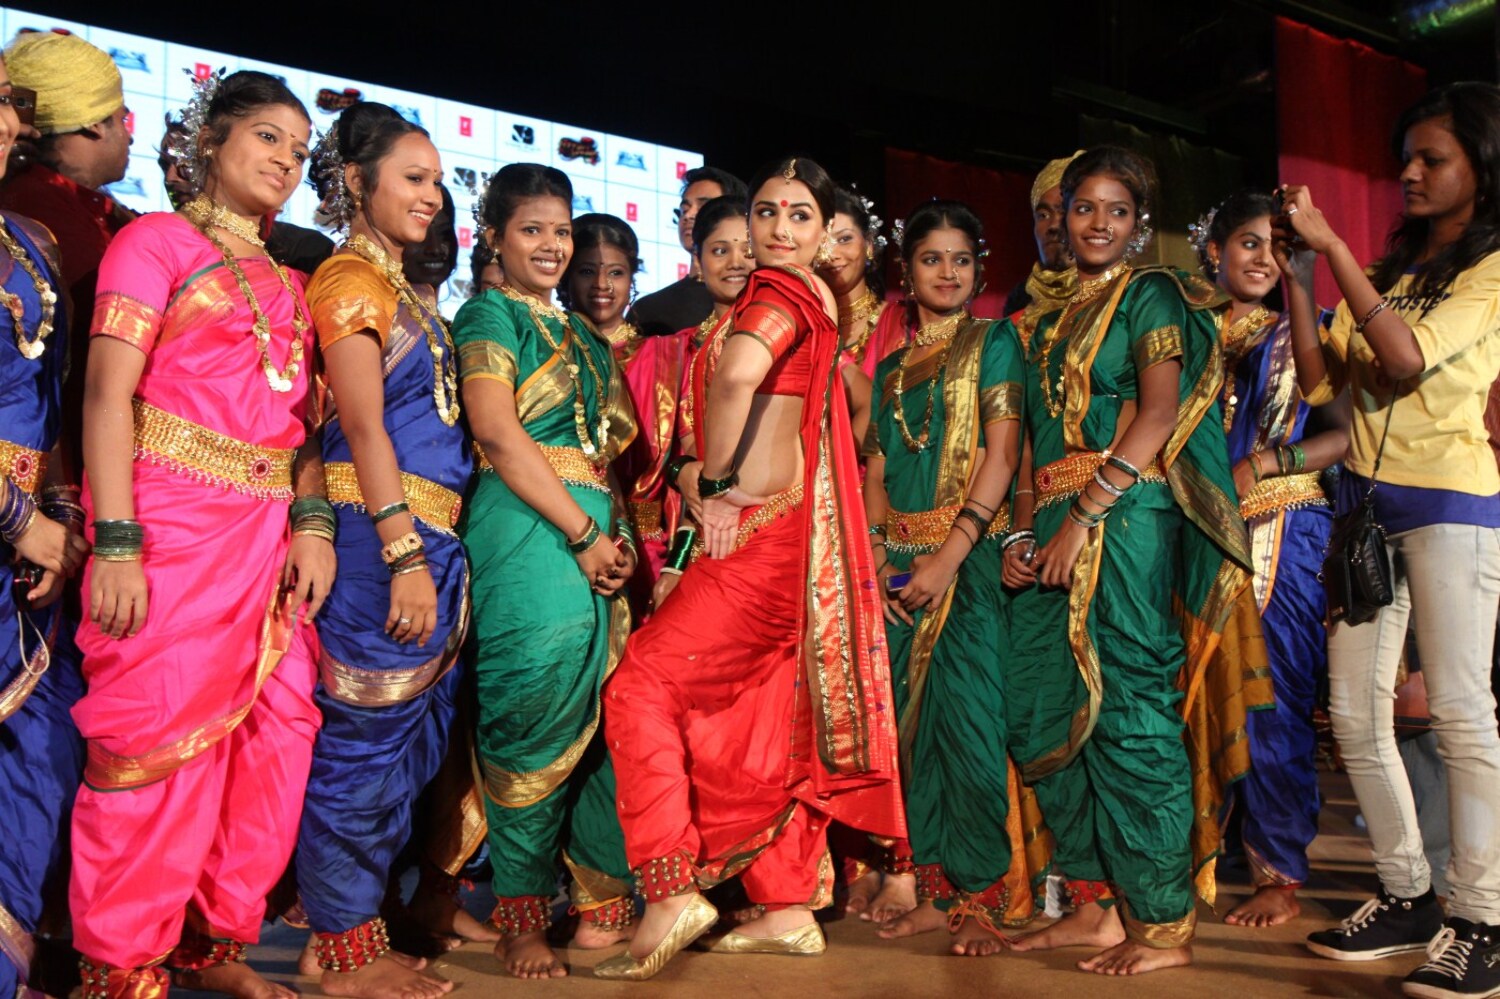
<point x="941" y="452"/>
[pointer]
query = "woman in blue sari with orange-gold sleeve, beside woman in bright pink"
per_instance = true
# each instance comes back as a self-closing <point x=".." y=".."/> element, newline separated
<point x="397" y="463"/>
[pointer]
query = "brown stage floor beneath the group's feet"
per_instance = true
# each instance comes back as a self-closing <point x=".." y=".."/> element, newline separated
<point x="1231" y="962"/>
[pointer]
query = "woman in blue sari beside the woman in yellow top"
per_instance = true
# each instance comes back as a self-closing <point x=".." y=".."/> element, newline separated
<point x="1279" y="446"/>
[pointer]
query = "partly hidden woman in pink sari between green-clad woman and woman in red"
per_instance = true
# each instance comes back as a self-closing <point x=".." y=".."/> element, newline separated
<point x="598" y="286"/>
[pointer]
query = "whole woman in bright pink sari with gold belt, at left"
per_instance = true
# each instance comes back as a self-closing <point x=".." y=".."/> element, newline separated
<point x="199" y="643"/>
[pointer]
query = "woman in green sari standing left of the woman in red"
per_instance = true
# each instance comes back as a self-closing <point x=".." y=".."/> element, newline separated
<point x="550" y="412"/>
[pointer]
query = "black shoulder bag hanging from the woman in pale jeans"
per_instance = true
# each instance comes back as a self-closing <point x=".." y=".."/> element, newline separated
<point x="1357" y="569"/>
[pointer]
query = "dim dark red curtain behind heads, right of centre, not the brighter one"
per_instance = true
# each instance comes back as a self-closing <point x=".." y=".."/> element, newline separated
<point x="1003" y="200"/>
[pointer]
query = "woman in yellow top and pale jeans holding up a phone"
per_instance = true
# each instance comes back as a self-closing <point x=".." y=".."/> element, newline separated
<point x="1417" y="344"/>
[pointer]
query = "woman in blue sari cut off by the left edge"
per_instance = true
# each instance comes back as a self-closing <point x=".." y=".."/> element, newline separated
<point x="41" y="754"/>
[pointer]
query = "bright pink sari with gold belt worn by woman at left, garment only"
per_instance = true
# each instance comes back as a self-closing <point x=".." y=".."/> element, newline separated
<point x="200" y="728"/>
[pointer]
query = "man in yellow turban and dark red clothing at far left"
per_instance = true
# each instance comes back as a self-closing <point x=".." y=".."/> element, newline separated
<point x="85" y="146"/>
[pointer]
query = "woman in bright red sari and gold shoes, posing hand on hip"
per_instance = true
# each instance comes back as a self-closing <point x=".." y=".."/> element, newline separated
<point x="757" y="706"/>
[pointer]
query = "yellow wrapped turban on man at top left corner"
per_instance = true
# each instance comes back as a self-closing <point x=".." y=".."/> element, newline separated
<point x="77" y="85"/>
